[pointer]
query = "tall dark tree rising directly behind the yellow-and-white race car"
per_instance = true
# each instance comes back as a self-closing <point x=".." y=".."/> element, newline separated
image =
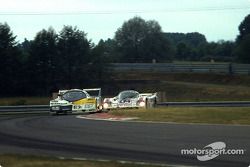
<point x="74" y="49"/>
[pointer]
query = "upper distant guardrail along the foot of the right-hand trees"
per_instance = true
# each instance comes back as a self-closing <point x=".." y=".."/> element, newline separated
<point x="226" y="68"/>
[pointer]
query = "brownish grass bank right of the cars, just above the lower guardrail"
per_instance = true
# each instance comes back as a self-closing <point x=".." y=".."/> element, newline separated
<point x="186" y="91"/>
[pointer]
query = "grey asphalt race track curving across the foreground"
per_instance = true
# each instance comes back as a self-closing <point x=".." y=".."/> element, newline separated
<point x="71" y="137"/>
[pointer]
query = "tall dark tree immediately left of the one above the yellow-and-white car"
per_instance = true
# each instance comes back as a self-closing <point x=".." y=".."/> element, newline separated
<point x="43" y="61"/>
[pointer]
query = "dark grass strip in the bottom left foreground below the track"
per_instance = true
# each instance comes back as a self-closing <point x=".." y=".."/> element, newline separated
<point x="34" y="161"/>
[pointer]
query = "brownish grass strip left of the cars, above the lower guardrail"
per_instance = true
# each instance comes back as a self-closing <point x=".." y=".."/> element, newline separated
<point x="9" y="101"/>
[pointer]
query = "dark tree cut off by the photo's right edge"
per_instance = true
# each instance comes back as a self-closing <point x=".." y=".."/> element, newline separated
<point x="243" y="41"/>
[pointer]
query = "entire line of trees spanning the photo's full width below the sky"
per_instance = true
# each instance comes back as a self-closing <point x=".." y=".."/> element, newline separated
<point x="67" y="59"/>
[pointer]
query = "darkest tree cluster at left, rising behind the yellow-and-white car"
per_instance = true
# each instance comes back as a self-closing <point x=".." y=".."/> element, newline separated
<point x="49" y="62"/>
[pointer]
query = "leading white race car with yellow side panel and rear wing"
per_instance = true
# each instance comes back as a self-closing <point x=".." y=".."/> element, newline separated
<point x="84" y="100"/>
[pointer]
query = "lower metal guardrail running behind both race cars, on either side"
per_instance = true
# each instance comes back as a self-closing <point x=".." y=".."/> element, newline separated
<point x="45" y="108"/>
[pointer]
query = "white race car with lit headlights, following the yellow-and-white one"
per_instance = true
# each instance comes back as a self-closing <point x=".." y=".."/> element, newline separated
<point x="130" y="99"/>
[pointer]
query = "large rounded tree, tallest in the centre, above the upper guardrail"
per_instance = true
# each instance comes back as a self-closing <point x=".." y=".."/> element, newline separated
<point x="141" y="41"/>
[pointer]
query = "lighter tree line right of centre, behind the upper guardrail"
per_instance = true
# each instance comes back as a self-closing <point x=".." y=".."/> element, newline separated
<point x="143" y="41"/>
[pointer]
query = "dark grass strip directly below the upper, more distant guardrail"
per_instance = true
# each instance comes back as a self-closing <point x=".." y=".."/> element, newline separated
<point x="211" y="78"/>
